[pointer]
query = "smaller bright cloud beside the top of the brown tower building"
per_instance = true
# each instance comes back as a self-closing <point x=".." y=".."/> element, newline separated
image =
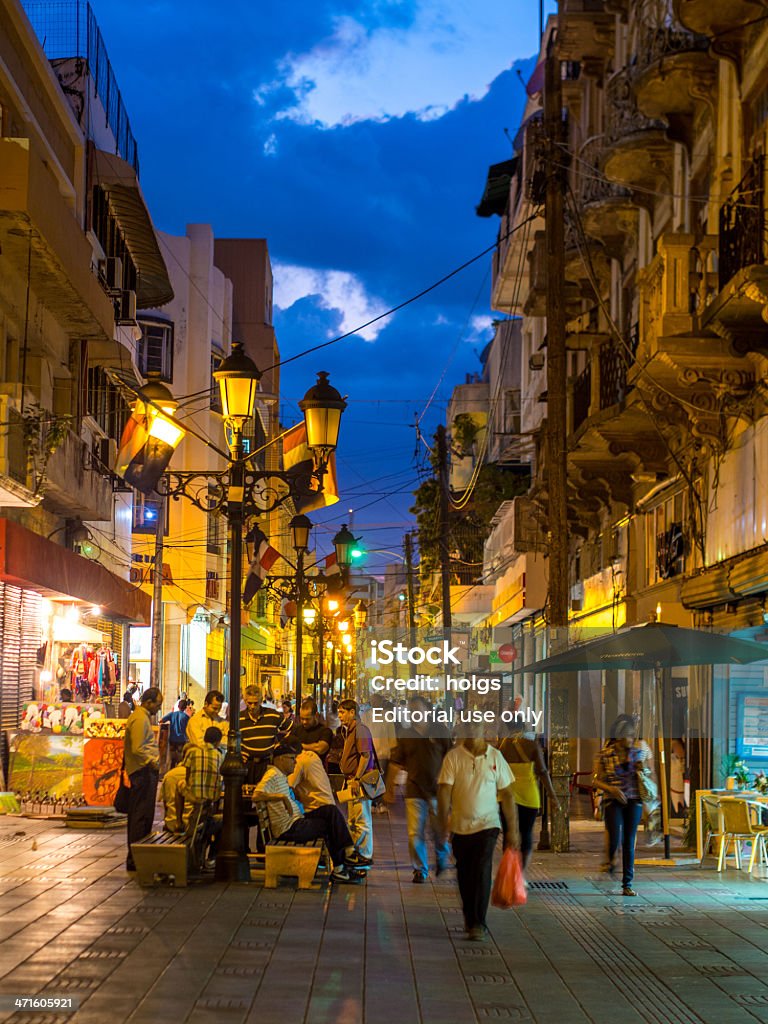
<point x="332" y="290"/>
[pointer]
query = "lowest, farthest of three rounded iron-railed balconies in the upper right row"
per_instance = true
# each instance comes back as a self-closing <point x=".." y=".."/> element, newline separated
<point x="609" y="212"/>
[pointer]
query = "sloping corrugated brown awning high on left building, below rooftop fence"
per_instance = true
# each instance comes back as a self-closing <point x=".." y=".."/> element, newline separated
<point x="121" y="185"/>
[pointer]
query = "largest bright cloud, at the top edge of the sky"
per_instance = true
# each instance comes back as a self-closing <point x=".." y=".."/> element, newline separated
<point x="449" y="53"/>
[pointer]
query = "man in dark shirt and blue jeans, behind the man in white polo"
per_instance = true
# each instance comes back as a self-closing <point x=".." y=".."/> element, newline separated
<point x="421" y="756"/>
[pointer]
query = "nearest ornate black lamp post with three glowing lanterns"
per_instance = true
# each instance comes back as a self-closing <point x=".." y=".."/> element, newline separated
<point x="242" y="491"/>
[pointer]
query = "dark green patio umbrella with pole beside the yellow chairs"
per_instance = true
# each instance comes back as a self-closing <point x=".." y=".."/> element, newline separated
<point x="655" y="647"/>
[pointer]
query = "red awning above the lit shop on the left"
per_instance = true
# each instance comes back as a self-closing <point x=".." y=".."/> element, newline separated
<point x="29" y="561"/>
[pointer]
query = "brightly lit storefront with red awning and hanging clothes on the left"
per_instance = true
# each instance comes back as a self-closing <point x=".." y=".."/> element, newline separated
<point x="62" y="662"/>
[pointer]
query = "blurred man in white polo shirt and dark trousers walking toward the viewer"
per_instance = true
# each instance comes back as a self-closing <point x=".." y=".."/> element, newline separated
<point x="474" y="779"/>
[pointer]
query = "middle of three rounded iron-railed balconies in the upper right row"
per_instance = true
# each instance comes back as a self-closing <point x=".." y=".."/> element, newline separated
<point x="638" y="153"/>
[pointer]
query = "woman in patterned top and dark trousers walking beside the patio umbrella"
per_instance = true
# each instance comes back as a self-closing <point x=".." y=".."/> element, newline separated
<point x="617" y="772"/>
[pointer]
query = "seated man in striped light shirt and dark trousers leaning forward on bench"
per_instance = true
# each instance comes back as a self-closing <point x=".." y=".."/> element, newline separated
<point x="288" y="822"/>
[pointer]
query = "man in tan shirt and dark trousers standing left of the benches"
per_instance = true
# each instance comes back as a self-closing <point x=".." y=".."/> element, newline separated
<point x="143" y="766"/>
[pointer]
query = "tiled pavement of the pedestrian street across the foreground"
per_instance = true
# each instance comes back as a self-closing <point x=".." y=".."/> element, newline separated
<point x="692" y="948"/>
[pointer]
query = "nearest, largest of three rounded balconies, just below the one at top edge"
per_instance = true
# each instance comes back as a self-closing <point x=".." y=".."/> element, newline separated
<point x="675" y="77"/>
